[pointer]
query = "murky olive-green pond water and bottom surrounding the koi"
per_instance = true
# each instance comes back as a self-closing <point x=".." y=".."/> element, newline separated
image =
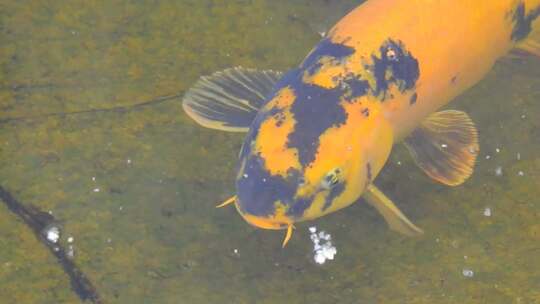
<point x="151" y="234"/>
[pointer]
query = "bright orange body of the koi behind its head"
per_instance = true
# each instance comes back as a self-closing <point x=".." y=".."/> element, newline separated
<point x="454" y="42"/>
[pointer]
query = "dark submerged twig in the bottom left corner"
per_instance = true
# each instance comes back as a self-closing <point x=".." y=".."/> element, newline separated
<point x="38" y="221"/>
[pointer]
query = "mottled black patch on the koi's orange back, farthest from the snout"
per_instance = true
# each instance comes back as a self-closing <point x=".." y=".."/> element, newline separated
<point x="394" y="65"/>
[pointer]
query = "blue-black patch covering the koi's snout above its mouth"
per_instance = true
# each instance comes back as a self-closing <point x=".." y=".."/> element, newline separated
<point x="258" y="190"/>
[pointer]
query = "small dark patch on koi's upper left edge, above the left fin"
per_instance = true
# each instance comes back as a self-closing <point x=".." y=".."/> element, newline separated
<point x="325" y="48"/>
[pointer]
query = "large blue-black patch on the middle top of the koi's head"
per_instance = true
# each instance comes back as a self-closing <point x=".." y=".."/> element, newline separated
<point x="315" y="110"/>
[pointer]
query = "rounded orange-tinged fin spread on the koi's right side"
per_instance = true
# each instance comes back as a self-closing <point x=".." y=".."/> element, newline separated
<point x="445" y="146"/>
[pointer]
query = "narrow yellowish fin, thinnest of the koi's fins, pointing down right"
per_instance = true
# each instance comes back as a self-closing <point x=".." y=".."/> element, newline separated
<point x="393" y="216"/>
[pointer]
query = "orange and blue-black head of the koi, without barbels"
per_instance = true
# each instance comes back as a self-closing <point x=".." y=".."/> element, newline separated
<point x="297" y="166"/>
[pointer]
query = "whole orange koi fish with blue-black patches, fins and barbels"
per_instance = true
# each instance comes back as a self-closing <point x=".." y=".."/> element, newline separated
<point x="318" y="135"/>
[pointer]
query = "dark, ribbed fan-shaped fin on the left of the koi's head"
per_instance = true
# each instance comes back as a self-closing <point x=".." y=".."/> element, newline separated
<point x="229" y="100"/>
